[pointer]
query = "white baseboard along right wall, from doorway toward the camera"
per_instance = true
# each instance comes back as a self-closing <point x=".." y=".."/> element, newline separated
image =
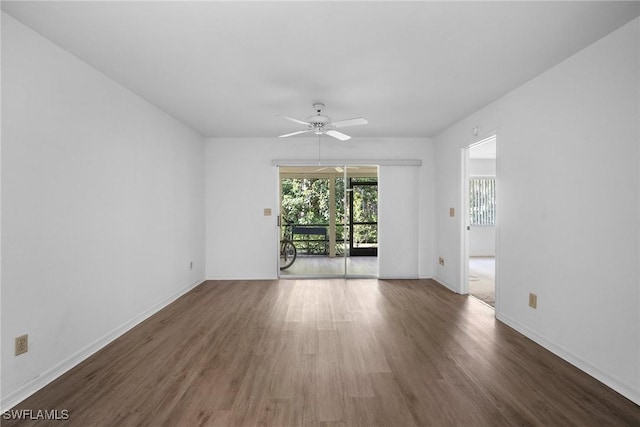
<point x="621" y="387"/>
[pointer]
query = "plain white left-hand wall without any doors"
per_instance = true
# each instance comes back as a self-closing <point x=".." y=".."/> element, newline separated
<point x="102" y="209"/>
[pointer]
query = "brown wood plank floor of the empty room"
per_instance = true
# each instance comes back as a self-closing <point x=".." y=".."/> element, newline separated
<point x="328" y="353"/>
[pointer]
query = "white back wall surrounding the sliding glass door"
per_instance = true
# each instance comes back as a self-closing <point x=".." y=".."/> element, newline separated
<point x="241" y="182"/>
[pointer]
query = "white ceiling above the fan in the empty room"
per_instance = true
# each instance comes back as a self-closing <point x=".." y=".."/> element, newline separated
<point x="411" y="68"/>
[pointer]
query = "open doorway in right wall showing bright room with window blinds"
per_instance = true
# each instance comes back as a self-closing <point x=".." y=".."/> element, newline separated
<point x="480" y="208"/>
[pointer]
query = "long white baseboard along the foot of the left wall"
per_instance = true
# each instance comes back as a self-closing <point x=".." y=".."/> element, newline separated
<point x="50" y="375"/>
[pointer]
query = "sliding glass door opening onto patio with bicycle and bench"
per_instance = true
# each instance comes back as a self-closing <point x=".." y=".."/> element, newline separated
<point x="329" y="214"/>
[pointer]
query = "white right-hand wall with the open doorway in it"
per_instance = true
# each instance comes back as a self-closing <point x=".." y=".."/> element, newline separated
<point x="569" y="207"/>
